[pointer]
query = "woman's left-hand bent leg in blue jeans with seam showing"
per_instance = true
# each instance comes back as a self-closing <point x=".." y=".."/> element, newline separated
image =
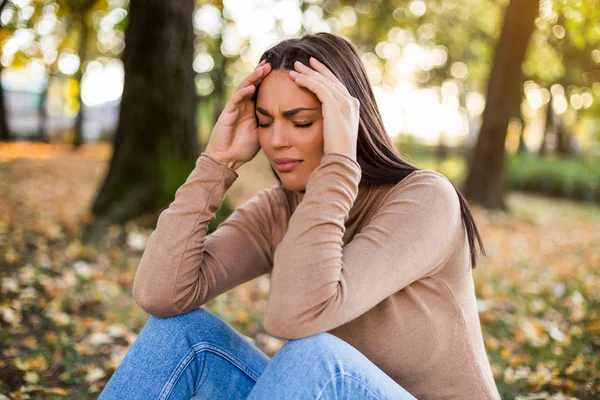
<point x="191" y="354"/>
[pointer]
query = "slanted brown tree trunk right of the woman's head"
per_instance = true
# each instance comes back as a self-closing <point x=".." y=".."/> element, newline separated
<point x="485" y="182"/>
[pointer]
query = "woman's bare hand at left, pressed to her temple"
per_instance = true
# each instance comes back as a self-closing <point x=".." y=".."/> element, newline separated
<point x="234" y="139"/>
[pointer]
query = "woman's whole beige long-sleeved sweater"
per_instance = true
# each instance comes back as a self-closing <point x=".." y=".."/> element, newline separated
<point x="384" y="267"/>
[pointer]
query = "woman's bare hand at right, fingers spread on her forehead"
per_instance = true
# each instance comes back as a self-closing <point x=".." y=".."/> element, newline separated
<point x="340" y="109"/>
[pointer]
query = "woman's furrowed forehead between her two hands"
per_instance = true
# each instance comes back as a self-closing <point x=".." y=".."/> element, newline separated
<point x="278" y="92"/>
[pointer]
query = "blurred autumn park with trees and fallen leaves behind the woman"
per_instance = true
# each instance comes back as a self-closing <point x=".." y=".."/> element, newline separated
<point x="106" y="104"/>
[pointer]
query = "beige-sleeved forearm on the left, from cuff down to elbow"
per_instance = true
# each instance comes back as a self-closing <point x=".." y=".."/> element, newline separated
<point x="172" y="261"/>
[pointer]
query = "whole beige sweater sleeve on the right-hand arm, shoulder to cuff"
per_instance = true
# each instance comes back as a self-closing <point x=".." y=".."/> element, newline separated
<point x="317" y="284"/>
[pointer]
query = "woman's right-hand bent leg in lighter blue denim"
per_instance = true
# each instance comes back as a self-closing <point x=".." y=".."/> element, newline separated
<point x="323" y="367"/>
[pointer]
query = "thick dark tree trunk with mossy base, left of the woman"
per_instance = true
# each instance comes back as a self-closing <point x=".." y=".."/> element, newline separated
<point x="156" y="143"/>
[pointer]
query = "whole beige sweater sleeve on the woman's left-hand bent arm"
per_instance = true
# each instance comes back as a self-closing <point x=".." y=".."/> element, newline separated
<point x="181" y="267"/>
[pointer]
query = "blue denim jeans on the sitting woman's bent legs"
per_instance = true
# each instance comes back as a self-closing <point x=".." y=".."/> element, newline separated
<point x="198" y="355"/>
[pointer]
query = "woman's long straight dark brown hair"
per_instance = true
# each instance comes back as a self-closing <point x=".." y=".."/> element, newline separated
<point x="375" y="152"/>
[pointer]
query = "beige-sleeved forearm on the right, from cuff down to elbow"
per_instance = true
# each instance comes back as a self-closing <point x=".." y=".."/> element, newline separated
<point x="308" y="262"/>
